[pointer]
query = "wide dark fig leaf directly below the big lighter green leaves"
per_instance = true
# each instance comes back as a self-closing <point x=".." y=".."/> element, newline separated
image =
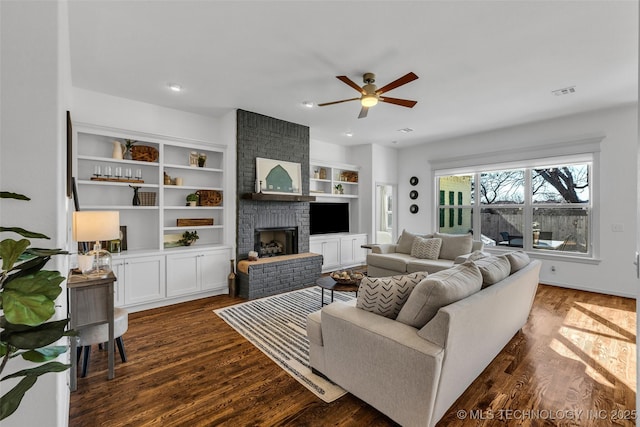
<point x="34" y="337"/>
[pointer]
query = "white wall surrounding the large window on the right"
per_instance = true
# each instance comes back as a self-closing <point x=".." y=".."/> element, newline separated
<point x="614" y="274"/>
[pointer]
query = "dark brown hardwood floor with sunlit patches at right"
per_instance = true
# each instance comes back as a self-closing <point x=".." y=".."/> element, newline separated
<point x="188" y="367"/>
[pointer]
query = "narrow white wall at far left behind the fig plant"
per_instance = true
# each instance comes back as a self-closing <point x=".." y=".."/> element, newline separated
<point x="34" y="81"/>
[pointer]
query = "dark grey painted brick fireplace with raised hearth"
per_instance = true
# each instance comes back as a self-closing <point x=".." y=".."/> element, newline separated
<point x="267" y="137"/>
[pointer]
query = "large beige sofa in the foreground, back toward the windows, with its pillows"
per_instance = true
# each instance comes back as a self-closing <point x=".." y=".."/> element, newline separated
<point x="413" y="360"/>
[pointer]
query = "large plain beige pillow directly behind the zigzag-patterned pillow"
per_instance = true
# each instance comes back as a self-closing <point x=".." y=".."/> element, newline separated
<point x="437" y="290"/>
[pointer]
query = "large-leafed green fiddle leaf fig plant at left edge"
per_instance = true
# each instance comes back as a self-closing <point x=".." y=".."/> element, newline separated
<point x="27" y="303"/>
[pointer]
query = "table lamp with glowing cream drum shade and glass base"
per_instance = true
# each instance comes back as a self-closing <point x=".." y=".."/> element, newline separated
<point x="94" y="226"/>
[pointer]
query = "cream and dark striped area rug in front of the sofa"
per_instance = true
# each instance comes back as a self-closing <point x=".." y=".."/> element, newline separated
<point x="277" y="326"/>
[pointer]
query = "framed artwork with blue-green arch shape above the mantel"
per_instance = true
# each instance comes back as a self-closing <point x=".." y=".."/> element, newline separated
<point x="278" y="176"/>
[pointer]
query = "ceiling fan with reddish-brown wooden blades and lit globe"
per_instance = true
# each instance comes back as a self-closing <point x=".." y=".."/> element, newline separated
<point x="371" y="95"/>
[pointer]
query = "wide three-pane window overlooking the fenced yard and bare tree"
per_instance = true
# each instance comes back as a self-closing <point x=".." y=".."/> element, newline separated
<point x="544" y="207"/>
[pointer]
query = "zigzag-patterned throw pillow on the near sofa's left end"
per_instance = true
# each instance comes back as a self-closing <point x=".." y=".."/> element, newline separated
<point x="386" y="295"/>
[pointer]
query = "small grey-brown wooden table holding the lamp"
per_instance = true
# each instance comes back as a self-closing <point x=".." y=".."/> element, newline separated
<point x="90" y="303"/>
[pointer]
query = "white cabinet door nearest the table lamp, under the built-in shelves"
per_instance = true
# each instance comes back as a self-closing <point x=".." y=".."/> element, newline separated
<point x="144" y="279"/>
